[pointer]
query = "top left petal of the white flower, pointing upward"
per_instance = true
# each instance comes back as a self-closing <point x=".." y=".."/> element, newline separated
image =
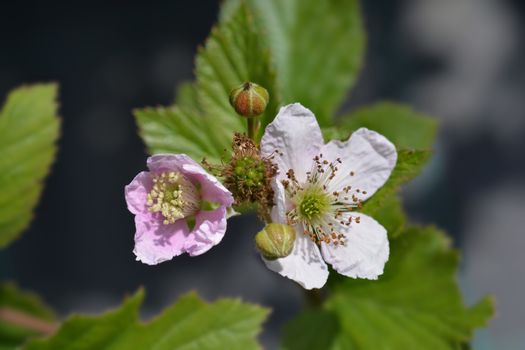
<point x="296" y="134"/>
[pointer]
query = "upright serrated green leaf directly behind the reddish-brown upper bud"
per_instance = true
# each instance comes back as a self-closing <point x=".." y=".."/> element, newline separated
<point x="234" y="53"/>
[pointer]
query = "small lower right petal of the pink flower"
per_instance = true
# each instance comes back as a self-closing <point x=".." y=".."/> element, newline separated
<point x="209" y="230"/>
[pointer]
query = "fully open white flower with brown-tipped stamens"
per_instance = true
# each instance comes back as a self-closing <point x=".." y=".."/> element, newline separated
<point x="318" y="190"/>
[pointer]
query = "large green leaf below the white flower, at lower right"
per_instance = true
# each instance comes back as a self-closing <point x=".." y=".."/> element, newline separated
<point x="416" y="304"/>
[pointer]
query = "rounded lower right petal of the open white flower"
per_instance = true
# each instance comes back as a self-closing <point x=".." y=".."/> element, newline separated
<point x="366" y="250"/>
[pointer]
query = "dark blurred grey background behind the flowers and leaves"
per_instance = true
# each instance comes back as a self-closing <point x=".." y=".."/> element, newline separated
<point x="458" y="60"/>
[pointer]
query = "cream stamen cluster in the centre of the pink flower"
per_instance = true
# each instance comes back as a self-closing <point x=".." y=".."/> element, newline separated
<point x="173" y="196"/>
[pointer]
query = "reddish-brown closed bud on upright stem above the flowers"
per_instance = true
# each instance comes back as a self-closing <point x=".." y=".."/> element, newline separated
<point x="249" y="99"/>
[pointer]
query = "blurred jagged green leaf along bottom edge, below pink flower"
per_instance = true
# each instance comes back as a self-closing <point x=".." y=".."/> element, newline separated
<point x="189" y="324"/>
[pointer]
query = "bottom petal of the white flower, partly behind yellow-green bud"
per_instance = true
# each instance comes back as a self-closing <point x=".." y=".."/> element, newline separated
<point x="304" y="265"/>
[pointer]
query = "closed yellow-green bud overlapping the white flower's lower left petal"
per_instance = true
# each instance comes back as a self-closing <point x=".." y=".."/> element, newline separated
<point x="275" y="241"/>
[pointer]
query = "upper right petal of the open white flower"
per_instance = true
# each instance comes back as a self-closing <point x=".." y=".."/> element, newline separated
<point x="369" y="156"/>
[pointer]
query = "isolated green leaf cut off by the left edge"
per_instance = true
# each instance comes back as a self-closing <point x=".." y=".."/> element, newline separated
<point x="29" y="128"/>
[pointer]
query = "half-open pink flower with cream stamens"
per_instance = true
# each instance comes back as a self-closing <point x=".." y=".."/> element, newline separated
<point x="173" y="211"/>
